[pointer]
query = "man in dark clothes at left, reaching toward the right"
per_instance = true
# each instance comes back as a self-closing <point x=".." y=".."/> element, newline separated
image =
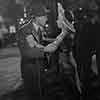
<point x="29" y="37"/>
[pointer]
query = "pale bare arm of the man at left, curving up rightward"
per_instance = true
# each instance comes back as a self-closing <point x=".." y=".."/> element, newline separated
<point x="52" y="47"/>
